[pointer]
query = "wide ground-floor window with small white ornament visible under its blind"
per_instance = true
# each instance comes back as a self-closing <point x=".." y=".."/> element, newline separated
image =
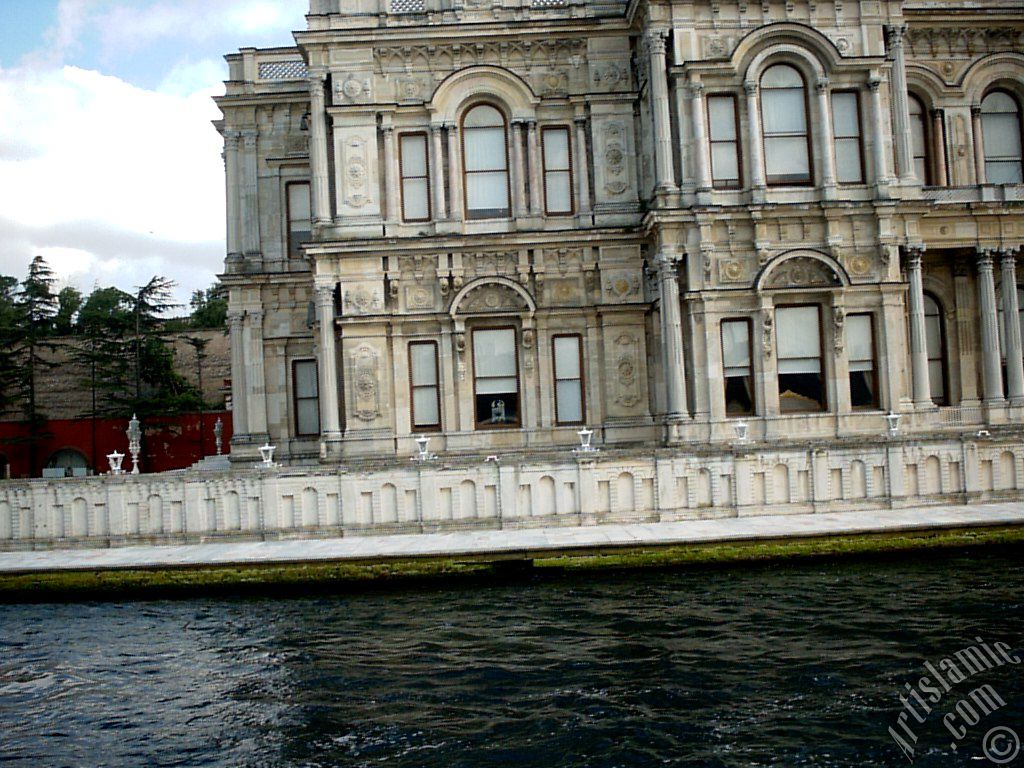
<point x="496" y="373"/>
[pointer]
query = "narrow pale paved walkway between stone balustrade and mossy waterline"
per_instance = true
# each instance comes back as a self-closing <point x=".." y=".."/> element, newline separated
<point x="499" y="543"/>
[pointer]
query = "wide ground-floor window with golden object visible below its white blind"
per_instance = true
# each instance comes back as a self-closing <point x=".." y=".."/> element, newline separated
<point x="801" y="375"/>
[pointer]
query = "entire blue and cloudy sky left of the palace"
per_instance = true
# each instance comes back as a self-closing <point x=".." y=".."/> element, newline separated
<point x="109" y="165"/>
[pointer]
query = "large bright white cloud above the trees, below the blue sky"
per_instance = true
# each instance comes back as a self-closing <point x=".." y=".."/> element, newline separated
<point x="112" y="182"/>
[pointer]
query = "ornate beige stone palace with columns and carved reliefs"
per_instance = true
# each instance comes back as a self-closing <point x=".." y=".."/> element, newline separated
<point x="495" y="222"/>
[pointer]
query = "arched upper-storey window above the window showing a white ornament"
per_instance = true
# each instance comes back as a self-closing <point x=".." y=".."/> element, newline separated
<point x="485" y="148"/>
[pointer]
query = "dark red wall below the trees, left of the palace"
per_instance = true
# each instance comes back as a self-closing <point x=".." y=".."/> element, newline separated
<point x="170" y="443"/>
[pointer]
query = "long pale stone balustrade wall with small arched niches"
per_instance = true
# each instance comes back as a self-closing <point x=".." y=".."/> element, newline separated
<point x="562" y="491"/>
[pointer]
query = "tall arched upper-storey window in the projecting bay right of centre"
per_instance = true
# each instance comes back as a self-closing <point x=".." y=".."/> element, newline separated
<point x="784" y="120"/>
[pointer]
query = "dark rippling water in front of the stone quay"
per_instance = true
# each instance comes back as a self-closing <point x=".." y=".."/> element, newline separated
<point x="789" y="666"/>
